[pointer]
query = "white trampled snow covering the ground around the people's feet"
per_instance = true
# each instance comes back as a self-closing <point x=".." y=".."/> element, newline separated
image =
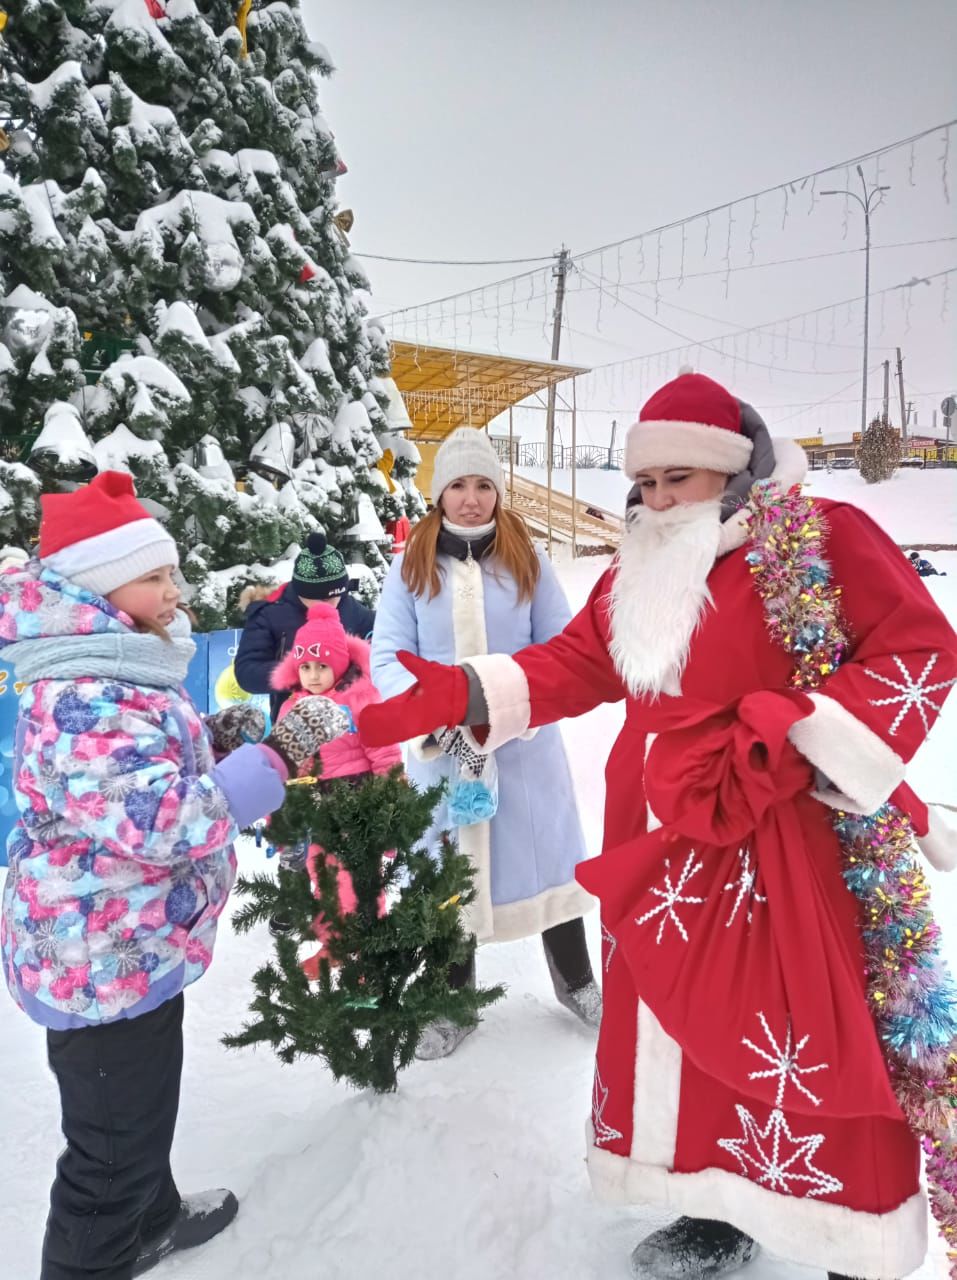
<point x="474" y="1171"/>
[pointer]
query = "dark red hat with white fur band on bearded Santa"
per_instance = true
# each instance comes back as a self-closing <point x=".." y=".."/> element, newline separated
<point x="692" y="422"/>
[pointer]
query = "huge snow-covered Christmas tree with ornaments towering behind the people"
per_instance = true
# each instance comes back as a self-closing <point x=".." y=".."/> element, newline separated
<point x="177" y="296"/>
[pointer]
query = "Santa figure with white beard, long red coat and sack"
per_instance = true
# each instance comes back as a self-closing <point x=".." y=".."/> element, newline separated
<point x="740" y="1076"/>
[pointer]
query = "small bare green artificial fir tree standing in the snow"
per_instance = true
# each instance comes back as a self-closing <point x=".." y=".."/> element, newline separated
<point x="383" y="975"/>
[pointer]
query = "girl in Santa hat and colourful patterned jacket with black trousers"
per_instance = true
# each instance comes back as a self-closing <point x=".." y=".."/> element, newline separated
<point x="121" y="862"/>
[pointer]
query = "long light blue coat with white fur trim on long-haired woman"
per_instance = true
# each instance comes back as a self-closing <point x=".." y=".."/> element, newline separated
<point x="525" y="858"/>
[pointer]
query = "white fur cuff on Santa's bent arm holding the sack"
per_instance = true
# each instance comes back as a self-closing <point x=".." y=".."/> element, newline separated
<point x="860" y="765"/>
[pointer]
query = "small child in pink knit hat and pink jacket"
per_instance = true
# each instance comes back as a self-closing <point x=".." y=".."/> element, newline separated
<point x="327" y="662"/>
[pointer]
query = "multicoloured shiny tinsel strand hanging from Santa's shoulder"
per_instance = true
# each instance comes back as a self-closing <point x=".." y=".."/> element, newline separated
<point x="910" y="990"/>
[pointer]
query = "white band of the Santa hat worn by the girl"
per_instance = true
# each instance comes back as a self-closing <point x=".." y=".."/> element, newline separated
<point x="122" y="555"/>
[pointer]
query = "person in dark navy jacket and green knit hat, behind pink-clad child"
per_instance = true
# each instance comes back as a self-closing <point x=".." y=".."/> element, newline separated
<point x="272" y="624"/>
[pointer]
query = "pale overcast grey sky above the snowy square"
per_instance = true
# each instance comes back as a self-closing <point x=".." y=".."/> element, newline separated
<point x="505" y="130"/>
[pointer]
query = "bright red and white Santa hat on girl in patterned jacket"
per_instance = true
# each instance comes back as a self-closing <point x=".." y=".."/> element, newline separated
<point x="100" y="537"/>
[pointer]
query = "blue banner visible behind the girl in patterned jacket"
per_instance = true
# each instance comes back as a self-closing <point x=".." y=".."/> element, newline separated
<point x="210" y="683"/>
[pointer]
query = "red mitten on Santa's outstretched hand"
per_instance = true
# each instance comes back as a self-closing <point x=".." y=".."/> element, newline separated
<point x="438" y="698"/>
